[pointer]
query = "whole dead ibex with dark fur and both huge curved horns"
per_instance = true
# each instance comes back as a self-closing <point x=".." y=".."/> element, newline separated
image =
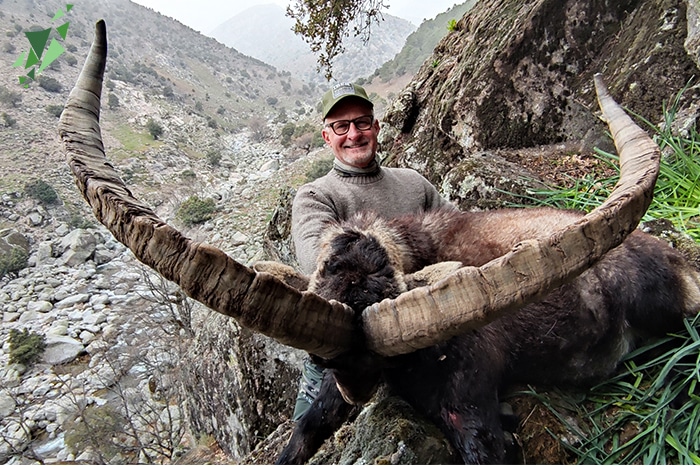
<point x="514" y="304"/>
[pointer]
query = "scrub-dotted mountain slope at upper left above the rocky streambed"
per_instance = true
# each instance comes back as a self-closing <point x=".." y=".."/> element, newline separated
<point x="204" y="95"/>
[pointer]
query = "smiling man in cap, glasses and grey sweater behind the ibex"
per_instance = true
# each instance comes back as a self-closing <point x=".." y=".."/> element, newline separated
<point x="356" y="183"/>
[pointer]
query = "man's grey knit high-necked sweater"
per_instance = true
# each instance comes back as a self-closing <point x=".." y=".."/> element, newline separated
<point x="390" y="192"/>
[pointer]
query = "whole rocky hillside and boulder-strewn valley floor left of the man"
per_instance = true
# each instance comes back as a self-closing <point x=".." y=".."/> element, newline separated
<point x="218" y="116"/>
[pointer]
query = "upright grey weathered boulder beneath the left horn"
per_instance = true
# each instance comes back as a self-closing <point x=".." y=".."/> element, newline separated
<point x="240" y="385"/>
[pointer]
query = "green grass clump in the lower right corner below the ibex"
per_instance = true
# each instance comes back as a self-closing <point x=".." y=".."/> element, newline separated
<point x="649" y="414"/>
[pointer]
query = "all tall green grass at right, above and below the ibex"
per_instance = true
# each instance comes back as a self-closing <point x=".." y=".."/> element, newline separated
<point x="650" y="412"/>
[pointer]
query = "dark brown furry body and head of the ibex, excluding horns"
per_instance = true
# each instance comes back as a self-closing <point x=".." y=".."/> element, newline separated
<point x="574" y="336"/>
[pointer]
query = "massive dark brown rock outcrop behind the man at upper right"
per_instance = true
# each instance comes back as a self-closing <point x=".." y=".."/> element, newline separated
<point x="518" y="74"/>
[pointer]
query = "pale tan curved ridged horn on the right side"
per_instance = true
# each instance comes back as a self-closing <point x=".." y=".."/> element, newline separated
<point x="474" y="296"/>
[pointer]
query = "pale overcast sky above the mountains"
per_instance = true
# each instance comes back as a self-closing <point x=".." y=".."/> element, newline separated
<point x="205" y="15"/>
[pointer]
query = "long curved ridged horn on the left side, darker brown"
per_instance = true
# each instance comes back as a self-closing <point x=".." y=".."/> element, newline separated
<point x="256" y="300"/>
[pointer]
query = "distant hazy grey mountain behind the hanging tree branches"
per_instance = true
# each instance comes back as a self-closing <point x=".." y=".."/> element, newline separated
<point x="265" y="32"/>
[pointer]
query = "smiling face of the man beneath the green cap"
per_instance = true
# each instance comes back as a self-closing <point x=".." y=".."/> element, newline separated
<point x="355" y="148"/>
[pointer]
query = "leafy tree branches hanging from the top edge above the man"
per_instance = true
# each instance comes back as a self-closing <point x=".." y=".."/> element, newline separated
<point x="324" y="25"/>
